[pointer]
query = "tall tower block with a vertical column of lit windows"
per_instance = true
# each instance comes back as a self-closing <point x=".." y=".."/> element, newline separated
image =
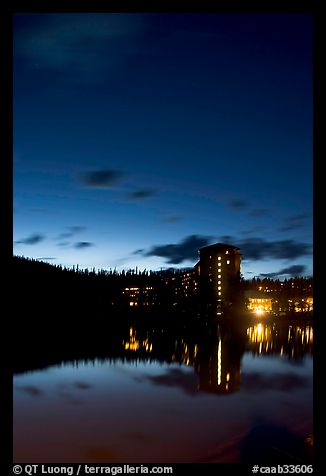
<point x="219" y="272"/>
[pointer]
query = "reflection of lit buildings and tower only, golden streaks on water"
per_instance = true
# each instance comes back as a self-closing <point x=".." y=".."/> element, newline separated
<point x="216" y="356"/>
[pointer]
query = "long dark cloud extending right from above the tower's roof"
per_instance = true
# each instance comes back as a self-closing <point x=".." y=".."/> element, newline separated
<point x="260" y="249"/>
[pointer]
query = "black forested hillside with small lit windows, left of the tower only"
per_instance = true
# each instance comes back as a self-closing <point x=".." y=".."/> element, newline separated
<point x="39" y="285"/>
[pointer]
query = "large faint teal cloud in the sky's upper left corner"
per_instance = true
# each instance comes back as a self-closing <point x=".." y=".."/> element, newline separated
<point x="77" y="48"/>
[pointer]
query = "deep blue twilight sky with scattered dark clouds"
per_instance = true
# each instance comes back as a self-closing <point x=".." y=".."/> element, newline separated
<point x="139" y="138"/>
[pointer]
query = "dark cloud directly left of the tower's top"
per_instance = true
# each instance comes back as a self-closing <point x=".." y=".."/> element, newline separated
<point x="186" y="250"/>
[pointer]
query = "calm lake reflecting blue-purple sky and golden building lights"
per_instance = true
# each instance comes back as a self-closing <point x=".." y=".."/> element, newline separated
<point x="158" y="397"/>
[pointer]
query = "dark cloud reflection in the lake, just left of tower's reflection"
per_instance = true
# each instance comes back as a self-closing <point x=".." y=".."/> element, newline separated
<point x="176" y="378"/>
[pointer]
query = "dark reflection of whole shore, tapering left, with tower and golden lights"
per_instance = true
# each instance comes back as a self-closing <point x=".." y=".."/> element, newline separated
<point x="214" y="353"/>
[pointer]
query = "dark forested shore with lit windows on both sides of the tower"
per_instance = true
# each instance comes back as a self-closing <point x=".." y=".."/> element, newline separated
<point x="43" y="287"/>
